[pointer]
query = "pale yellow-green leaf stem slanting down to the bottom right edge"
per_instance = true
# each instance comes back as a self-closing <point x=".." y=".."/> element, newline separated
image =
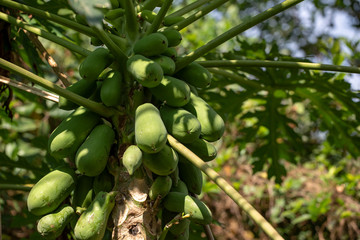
<point x="226" y="187"/>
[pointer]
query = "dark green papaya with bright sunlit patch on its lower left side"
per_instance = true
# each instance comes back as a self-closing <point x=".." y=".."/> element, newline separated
<point x="92" y="156"/>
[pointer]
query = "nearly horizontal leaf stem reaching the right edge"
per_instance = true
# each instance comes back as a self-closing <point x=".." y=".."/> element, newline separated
<point x="278" y="64"/>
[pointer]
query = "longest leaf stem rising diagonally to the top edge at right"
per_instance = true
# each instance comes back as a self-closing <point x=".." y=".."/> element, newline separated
<point x="234" y="31"/>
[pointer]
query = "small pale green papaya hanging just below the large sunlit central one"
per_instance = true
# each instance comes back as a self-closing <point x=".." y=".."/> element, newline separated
<point x="132" y="159"/>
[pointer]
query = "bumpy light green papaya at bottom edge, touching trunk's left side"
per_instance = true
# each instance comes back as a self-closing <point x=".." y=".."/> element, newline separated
<point x="92" y="222"/>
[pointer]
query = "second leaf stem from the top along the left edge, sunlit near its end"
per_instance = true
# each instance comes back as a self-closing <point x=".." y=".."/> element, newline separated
<point x="69" y="45"/>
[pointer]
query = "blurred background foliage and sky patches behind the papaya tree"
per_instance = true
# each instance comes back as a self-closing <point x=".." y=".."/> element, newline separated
<point x="292" y="140"/>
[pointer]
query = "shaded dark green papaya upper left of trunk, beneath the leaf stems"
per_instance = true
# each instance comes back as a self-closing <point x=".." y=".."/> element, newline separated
<point x="111" y="89"/>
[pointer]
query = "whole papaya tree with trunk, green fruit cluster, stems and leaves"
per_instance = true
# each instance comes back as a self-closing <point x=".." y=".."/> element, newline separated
<point x="141" y="113"/>
